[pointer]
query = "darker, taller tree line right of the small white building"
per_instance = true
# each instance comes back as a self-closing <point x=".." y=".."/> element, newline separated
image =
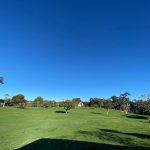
<point x="123" y="103"/>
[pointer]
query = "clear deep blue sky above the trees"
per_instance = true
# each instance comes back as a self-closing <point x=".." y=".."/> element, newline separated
<point x="82" y="48"/>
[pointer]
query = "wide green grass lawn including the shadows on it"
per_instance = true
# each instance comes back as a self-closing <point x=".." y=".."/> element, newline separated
<point x="39" y="128"/>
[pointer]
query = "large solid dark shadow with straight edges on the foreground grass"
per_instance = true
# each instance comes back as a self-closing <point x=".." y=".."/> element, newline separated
<point x="63" y="144"/>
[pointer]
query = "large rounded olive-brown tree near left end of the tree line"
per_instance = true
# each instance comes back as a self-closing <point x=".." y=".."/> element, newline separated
<point x="19" y="100"/>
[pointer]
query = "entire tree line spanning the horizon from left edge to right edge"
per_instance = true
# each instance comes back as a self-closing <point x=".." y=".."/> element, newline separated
<point x="121" y="102"/>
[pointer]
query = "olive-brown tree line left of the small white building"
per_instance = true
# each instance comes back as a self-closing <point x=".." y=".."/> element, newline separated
<point x="20" y="102"/>
